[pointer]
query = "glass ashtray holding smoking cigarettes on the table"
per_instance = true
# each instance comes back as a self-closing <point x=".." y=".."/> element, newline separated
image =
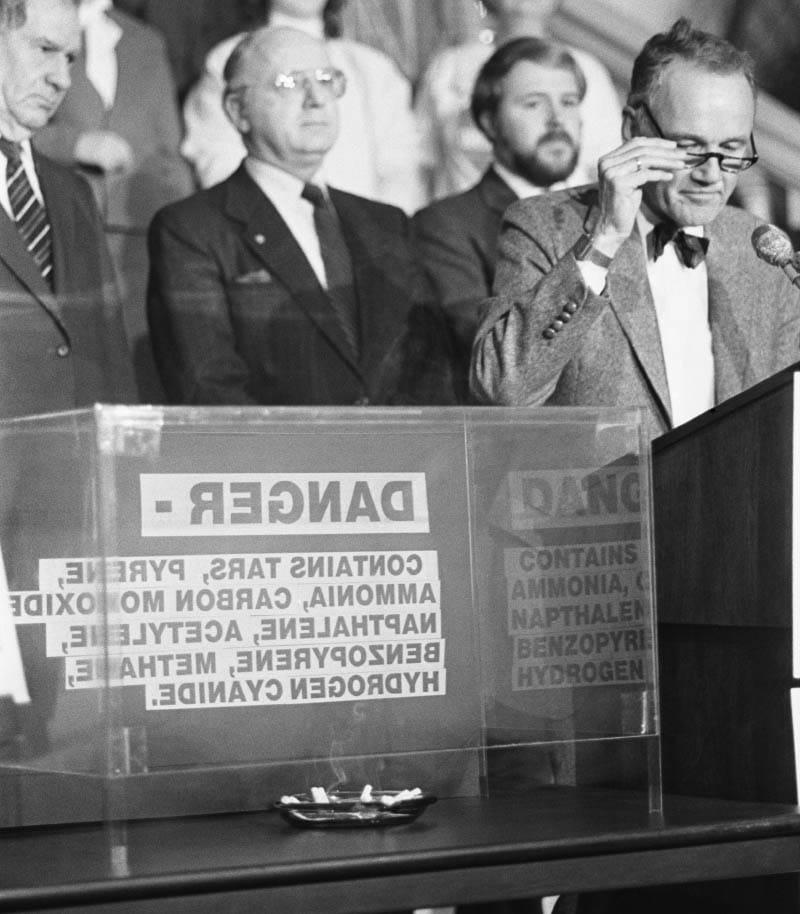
<point x="350" y="809"/>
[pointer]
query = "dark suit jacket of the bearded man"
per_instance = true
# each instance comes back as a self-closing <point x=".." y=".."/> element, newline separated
<point x="457" y="241"/>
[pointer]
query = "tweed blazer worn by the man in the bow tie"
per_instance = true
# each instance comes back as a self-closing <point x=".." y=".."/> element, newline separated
<point x="609" y="353"/>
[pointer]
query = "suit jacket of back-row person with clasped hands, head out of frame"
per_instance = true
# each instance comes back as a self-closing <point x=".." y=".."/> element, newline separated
<point x="145" y="113"/>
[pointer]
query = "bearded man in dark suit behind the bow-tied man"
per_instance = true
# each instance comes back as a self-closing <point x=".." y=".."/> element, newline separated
<point x="526" y="101"/>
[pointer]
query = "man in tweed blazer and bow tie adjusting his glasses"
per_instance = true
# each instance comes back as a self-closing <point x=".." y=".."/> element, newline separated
<point x="644" y="290"/>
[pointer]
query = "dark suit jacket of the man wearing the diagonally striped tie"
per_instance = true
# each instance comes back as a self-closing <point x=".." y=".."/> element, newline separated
<point x="65" y="349"/>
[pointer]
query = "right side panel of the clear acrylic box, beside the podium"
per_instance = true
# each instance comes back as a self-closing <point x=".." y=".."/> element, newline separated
<point x="563" y="553"/>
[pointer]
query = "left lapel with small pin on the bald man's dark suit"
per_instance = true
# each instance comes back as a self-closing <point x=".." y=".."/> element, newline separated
<point x="268" y="237"/>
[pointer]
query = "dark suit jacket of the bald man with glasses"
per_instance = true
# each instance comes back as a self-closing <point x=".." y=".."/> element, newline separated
<point x="238" y="316"/>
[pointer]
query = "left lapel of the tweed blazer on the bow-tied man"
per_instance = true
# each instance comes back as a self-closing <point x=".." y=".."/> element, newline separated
<point x="632" y="302"/>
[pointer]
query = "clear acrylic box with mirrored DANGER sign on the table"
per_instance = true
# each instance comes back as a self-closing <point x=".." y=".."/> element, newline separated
<point x="247" y="603"/>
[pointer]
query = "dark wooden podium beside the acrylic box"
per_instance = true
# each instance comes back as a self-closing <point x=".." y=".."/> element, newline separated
<point x="725" y="499"/>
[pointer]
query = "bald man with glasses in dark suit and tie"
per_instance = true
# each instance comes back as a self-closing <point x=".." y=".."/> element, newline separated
<point x="271" y="287"/>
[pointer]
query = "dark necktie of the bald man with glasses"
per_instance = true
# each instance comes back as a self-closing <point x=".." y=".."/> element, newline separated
<point x="338" y="265"/>
